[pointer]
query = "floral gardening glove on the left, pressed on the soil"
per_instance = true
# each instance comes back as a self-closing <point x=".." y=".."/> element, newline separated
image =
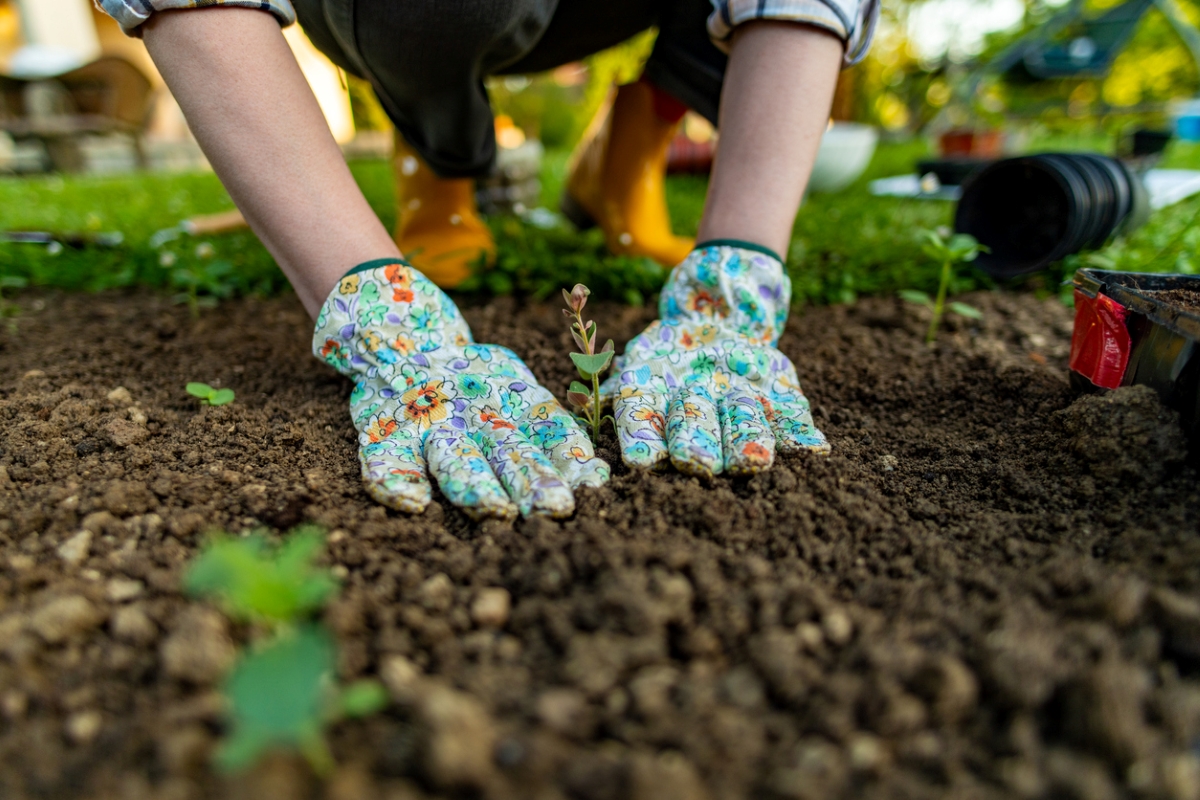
<point x="428" y="401"/>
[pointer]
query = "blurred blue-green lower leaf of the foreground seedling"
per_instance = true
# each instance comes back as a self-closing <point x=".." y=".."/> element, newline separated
<point x="278" y="697"/>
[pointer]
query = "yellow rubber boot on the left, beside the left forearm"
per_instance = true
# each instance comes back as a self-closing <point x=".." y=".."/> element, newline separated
<point x="439" y="227"/>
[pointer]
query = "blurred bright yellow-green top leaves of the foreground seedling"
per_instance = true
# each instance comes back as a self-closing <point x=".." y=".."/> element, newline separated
<point x="256" y="582"/>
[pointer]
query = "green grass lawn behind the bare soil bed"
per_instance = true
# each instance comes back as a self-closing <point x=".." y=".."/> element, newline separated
<point x="844" y="246"/>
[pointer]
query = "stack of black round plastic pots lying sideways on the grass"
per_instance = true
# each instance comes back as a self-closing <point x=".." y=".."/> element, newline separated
<point x="1035" y="210"/>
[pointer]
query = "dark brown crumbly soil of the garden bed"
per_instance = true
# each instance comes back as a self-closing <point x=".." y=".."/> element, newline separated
<point x="991" y="590"/>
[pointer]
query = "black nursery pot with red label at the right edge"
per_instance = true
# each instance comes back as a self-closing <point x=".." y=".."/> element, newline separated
<point x="1135" y="328"/>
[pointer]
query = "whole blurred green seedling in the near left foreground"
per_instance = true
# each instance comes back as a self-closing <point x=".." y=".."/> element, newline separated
<point x="281" y="693"/>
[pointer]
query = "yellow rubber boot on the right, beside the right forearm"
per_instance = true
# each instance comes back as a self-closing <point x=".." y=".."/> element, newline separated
<point x="616" y="178"/>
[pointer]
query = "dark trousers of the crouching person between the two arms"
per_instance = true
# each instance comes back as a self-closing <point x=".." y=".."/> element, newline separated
<point x="428" y="59"/>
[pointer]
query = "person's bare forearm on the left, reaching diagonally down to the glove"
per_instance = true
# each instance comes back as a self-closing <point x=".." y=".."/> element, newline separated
<point x="259" y="123"/>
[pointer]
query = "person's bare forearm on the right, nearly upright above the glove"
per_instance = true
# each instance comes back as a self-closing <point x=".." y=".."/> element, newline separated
<point x="775" y="109"/>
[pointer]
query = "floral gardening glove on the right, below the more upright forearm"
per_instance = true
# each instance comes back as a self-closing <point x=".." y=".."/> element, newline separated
<point x="705" y="386"/>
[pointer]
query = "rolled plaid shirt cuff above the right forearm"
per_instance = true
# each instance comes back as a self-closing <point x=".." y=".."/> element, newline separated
<point x="853" y="21"/>
